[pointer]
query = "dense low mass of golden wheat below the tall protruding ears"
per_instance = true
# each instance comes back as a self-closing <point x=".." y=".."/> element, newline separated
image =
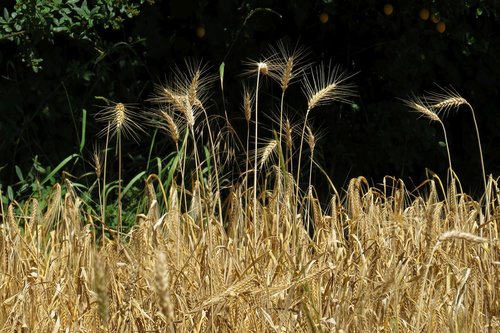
<point x="382" y="260"/>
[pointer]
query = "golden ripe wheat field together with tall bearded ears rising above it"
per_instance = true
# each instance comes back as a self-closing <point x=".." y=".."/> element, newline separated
<point x="263" y="253"/>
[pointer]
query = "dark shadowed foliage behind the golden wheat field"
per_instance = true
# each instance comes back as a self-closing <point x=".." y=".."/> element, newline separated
<point x="55" y="59"/>
